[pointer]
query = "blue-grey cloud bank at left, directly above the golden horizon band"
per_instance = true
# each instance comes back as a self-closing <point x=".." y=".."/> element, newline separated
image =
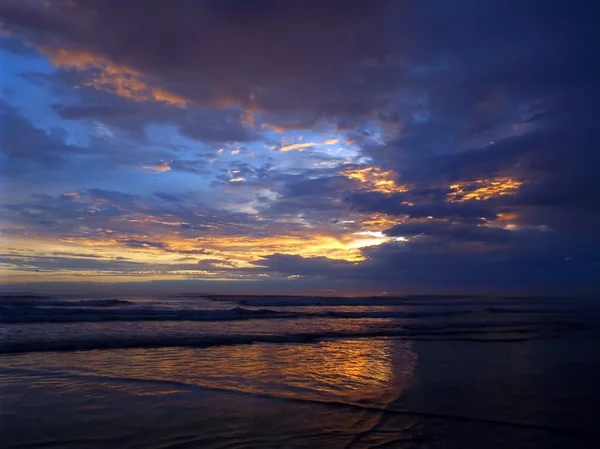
<point x="98" y="215"/>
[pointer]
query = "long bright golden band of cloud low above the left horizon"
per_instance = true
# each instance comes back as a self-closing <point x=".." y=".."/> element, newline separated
<point x="173" y="256"/>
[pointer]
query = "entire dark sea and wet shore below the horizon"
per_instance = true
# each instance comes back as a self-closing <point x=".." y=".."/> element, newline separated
<point x="190" y="371"/>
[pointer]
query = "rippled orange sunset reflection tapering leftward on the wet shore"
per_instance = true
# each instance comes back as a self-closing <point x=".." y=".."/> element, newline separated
<point x="352" y="371"/>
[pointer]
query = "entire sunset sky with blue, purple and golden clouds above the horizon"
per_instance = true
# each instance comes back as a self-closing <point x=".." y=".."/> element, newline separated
<point x="332" y="147"/>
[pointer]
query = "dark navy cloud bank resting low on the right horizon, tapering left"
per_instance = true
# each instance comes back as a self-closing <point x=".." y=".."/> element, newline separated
<point x="402" y="266"/>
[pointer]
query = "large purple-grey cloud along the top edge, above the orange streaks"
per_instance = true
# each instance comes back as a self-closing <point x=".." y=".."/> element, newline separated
<point x="260" y="52"/>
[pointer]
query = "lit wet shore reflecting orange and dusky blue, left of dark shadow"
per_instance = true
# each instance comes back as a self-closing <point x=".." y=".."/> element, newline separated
<point x="149" y="398"/>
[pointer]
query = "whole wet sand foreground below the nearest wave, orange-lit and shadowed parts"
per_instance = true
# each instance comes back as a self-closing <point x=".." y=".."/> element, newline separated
<point x="456" y="395"/>
